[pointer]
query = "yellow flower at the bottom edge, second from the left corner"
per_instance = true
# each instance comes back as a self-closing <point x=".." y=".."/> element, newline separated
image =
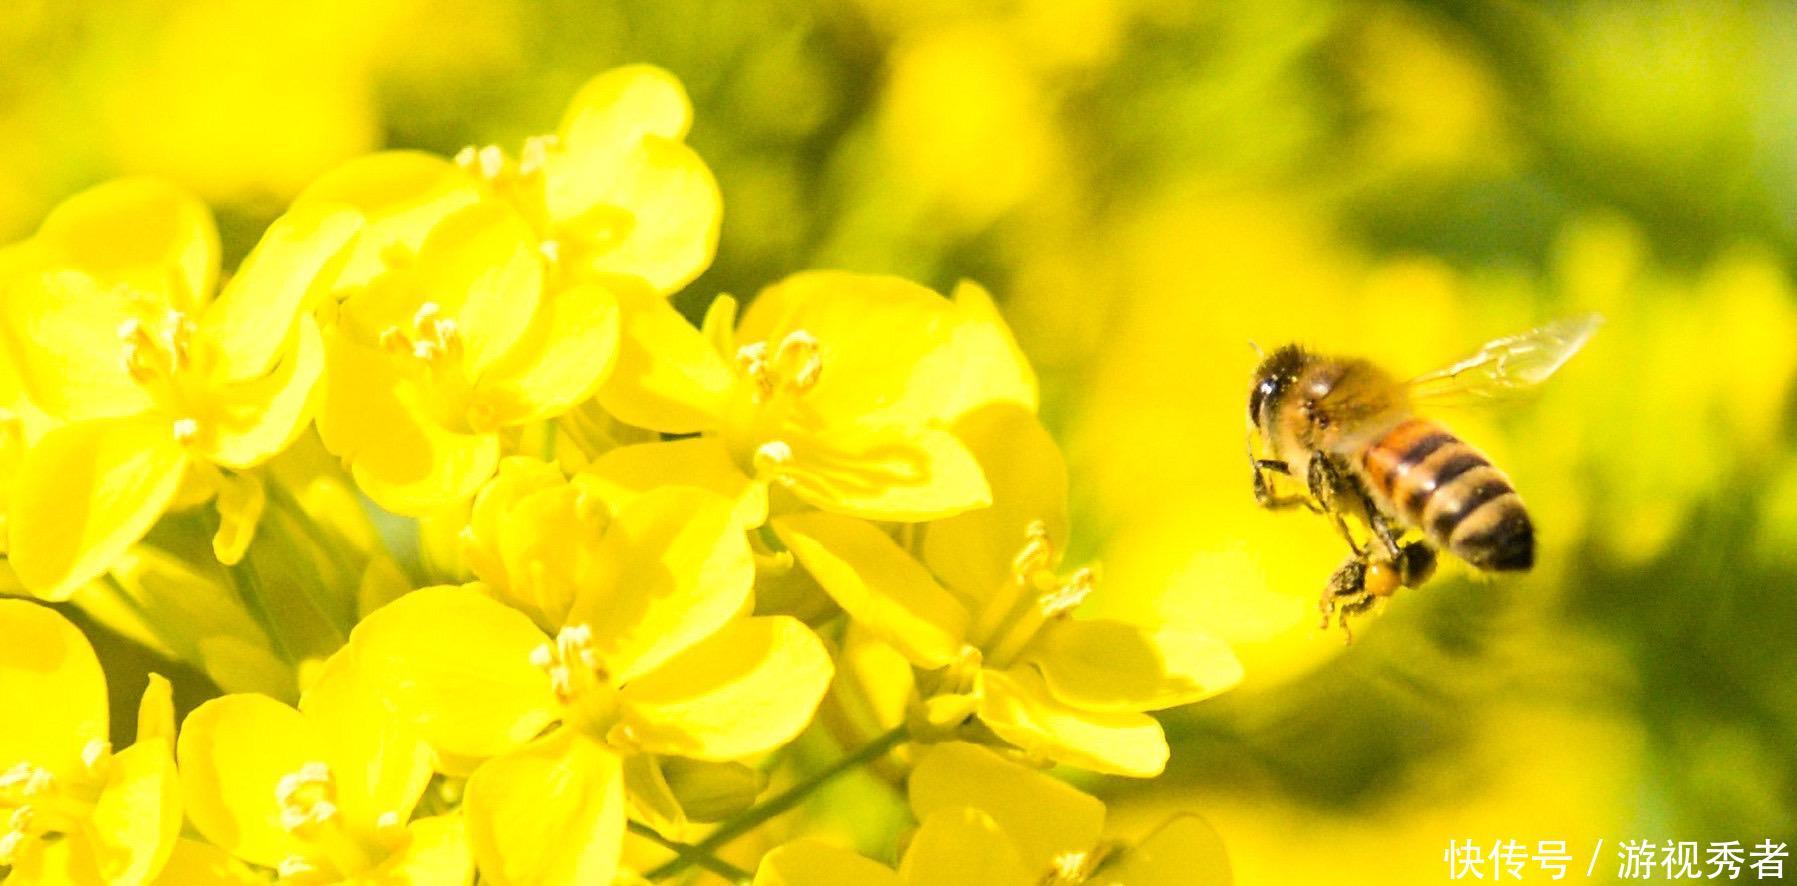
<point x="323" y="793"/>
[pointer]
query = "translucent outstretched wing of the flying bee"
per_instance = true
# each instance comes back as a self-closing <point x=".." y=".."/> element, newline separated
<point x="1509" y="366"/>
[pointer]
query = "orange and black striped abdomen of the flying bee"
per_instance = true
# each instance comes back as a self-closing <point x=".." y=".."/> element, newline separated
<point x="1455" y="495"/>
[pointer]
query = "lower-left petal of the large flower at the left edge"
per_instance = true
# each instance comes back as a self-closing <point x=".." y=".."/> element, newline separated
<point x="87" y="493"/>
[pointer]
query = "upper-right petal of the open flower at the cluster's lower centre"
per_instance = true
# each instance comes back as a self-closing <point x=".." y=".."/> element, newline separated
<point x="680" y="569"/>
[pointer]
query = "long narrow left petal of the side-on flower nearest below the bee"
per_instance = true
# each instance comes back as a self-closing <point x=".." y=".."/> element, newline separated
<point x="878" y="585"/>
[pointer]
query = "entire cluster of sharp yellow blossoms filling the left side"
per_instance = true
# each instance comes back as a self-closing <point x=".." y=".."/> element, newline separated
<point x="506" y="567"/>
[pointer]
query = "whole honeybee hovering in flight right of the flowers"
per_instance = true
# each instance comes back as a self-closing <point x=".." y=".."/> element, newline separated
<point x="1350" y="434"/>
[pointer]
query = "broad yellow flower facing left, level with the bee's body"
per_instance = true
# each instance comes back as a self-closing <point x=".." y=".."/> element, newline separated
<point x="838" y="396"/>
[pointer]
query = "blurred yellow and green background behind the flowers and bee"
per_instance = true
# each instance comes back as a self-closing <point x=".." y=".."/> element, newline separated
<point x="1149" y="186"/>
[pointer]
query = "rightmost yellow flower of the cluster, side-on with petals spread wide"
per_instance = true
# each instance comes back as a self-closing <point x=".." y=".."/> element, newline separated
<point x="987" y="617"/>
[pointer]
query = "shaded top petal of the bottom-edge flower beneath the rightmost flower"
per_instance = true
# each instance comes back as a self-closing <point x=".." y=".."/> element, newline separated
<point x="1041" y="815"/>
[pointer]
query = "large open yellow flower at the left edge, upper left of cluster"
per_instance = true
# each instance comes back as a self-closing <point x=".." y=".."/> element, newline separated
<point x="143" y="377"/>
